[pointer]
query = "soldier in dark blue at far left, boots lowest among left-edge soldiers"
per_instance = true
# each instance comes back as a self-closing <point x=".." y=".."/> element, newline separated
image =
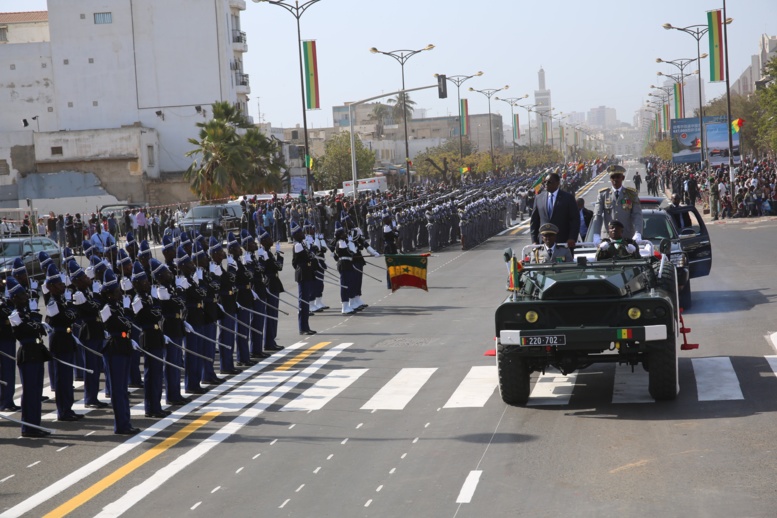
<point x="31" y="356"/>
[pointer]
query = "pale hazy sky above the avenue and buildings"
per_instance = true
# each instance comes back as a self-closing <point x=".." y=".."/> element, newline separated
<point x="600" y="52"/>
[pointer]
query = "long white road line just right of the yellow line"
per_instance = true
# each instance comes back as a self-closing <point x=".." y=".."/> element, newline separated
<point x="155" y="481"/>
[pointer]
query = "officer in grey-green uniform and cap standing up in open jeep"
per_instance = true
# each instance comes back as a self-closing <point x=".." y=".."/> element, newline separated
<point x="618" y="203"/>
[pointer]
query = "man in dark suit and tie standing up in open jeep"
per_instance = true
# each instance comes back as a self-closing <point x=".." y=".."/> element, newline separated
<point x="558" y="207"/>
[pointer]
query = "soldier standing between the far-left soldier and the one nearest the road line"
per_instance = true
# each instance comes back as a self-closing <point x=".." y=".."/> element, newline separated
<point x="61" y="316"/>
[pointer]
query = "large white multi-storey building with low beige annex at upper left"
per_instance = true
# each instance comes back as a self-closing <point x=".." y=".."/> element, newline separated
<point x="135" y="67"/>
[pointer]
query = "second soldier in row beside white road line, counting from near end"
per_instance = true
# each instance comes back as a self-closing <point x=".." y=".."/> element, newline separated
<point x="148" y="316"/>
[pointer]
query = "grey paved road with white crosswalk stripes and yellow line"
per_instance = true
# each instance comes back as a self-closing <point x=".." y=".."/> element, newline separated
<point x="394" y="412"/>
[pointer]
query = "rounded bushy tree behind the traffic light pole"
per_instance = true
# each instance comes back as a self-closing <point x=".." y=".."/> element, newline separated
<point x="334" y="167"/>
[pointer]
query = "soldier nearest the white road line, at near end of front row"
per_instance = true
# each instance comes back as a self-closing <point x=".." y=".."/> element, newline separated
<point x="117" y="350"/>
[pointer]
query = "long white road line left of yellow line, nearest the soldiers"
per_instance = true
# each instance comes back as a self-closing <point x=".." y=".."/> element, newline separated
<point x="73" y="478"/>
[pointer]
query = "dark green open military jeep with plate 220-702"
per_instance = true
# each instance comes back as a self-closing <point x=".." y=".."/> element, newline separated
<point x="571" y="315"/>
